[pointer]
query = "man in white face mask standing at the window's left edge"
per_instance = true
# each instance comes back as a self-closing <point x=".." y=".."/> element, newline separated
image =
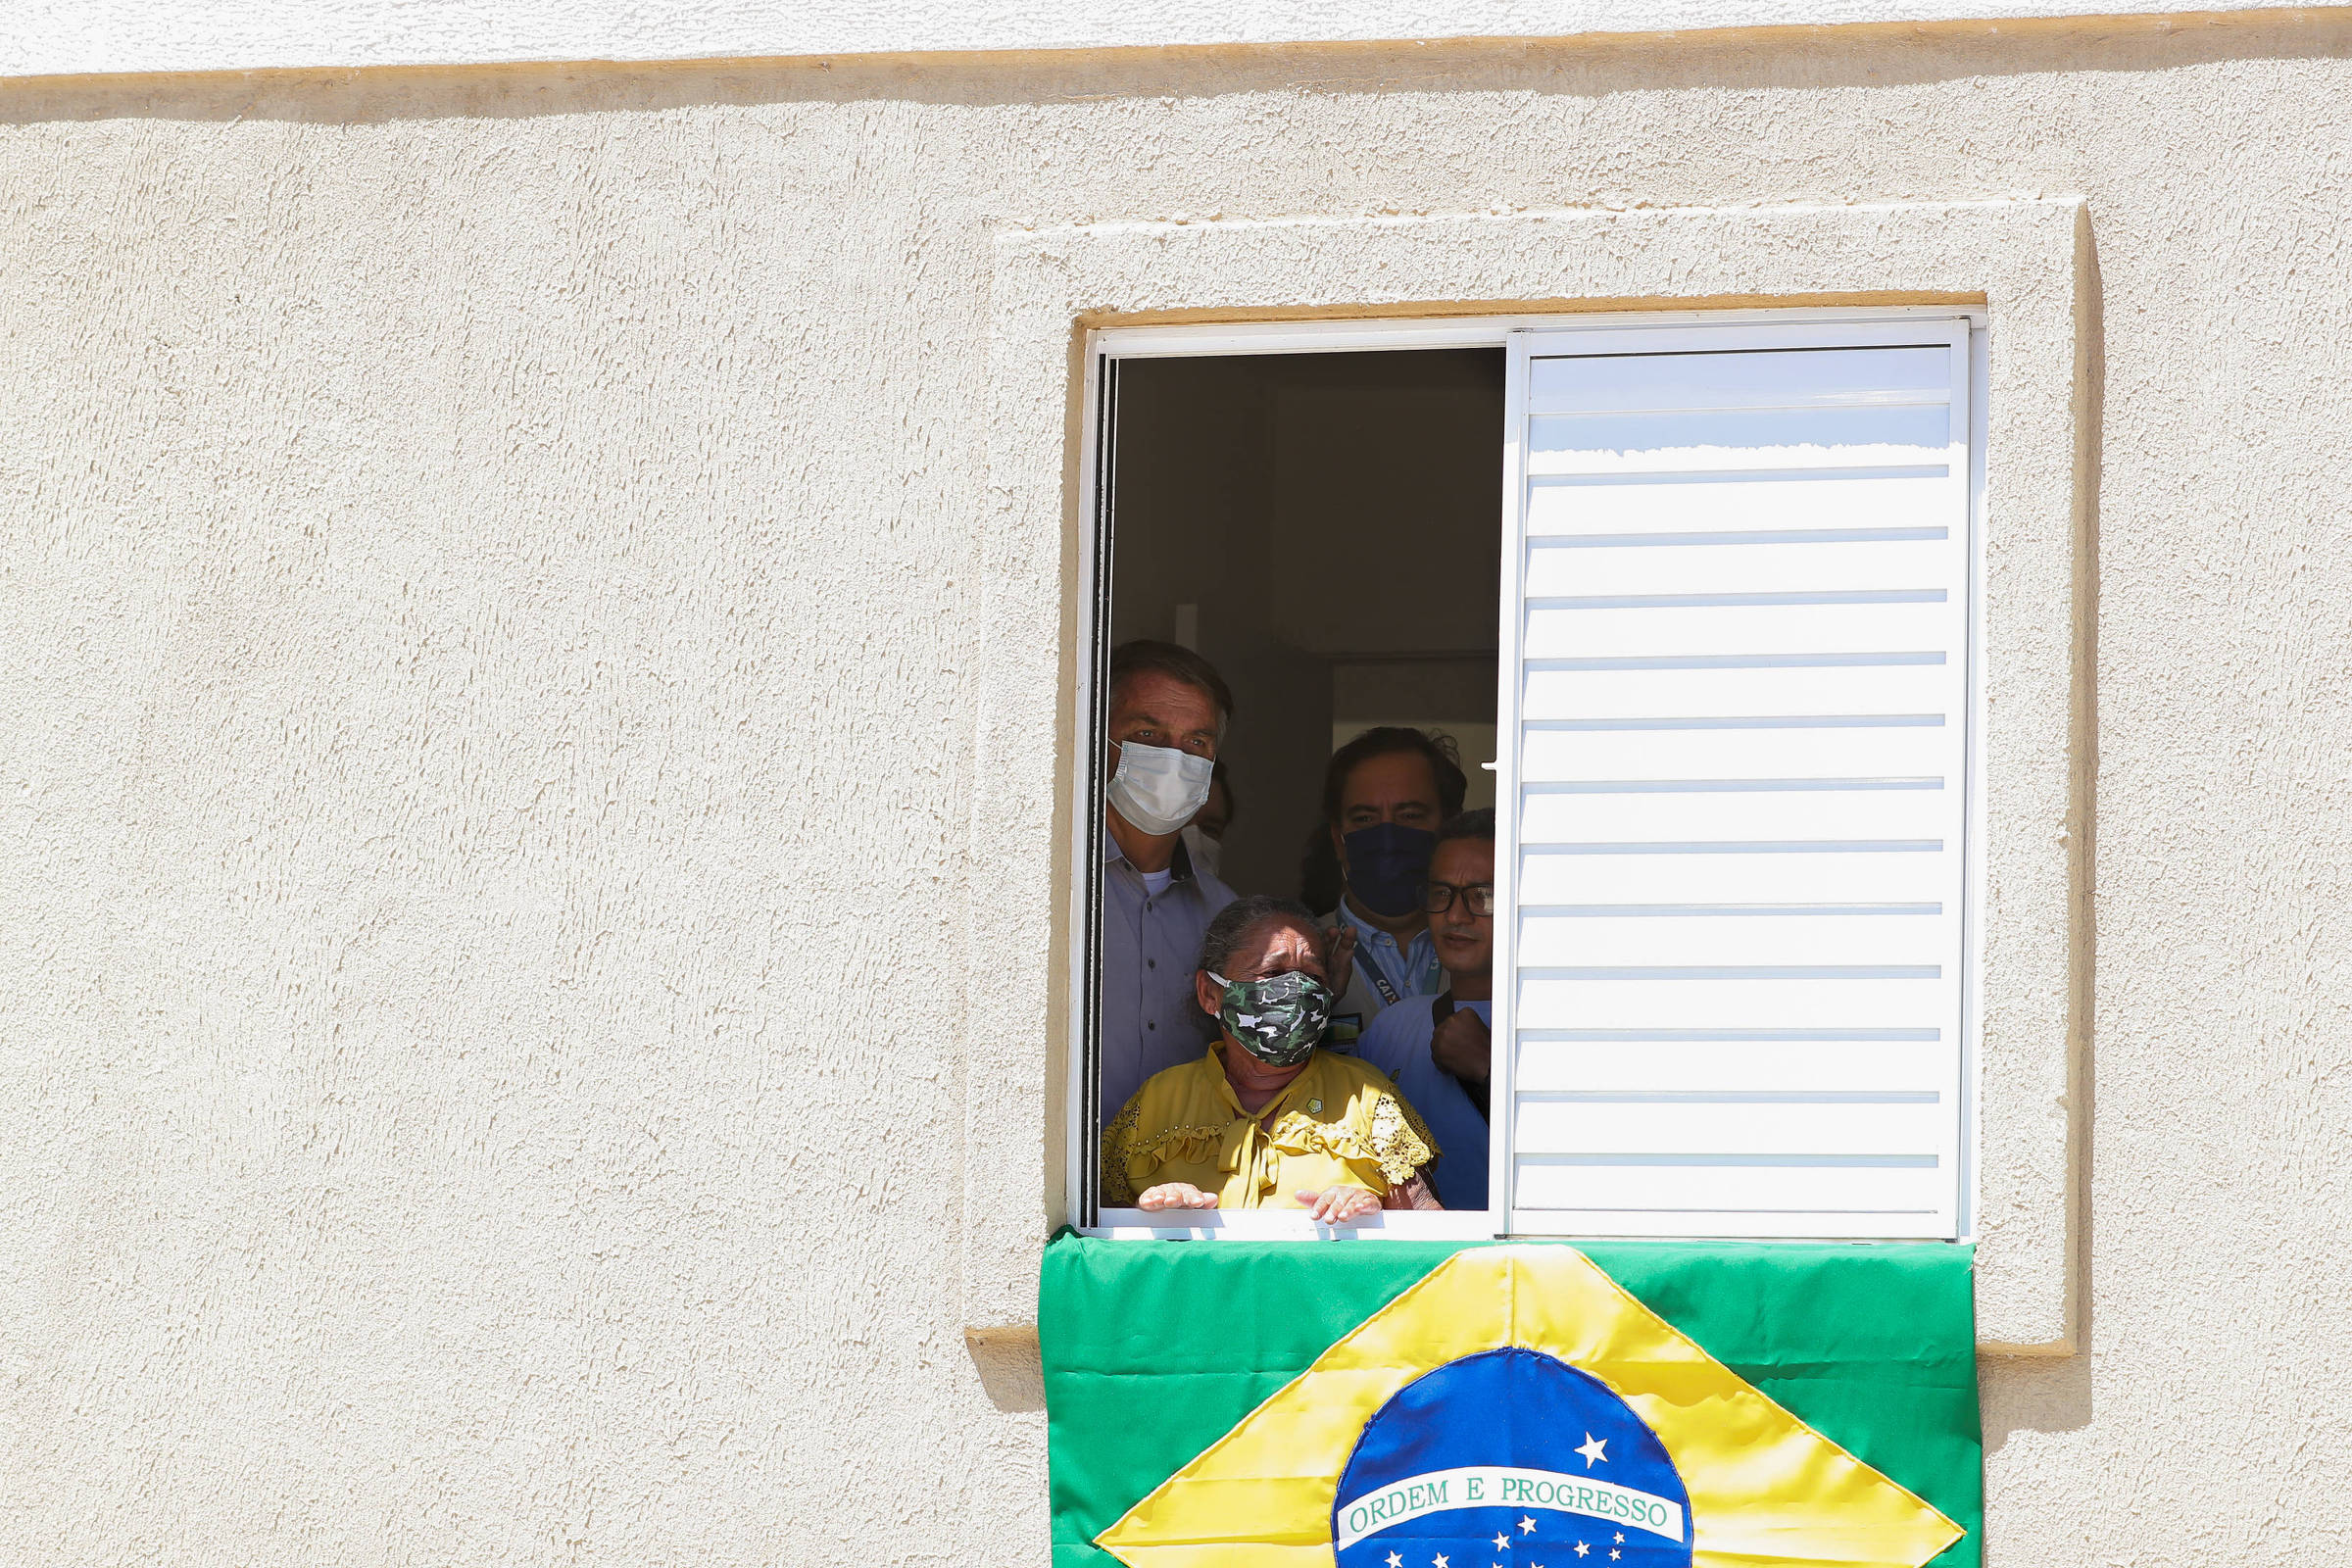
<point x="1168" y="716"/>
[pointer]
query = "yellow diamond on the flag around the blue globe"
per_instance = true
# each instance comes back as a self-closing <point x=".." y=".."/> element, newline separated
<point x="1763" y="1487"/>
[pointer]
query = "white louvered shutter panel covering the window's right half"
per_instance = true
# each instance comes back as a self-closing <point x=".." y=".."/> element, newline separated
<point x="1737" y="883"/>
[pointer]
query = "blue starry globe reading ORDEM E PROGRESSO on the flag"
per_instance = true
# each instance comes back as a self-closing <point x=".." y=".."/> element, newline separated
<point x="1511" y="1459"/>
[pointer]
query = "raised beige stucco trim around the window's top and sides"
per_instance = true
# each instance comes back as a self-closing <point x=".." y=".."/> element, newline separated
<point x="2024" y="264"/>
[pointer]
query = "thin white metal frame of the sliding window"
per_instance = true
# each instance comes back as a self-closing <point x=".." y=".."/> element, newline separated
<point x="1812" y="328"/>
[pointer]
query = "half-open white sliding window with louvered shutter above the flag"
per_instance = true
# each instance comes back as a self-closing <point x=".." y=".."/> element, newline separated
<point x="1723" y="615"/>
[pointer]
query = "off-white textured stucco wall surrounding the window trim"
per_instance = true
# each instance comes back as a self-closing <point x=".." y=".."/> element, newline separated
<point x="486" y="641"/>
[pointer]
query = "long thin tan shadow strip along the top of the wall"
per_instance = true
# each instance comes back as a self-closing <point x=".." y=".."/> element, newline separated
<point x="1890" y="55"/>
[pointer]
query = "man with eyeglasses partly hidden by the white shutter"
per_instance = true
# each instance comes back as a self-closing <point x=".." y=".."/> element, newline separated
<point x="1438" y="1050"/>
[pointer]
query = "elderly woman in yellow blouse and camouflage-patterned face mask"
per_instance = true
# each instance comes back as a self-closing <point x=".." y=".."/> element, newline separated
<point x="1267" y="1120"/>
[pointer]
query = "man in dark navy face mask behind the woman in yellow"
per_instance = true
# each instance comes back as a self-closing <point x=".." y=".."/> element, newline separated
<point x="1384" y="796"/>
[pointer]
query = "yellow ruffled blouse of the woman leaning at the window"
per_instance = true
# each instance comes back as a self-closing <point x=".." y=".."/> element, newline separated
<point x="1337" y="1123"/>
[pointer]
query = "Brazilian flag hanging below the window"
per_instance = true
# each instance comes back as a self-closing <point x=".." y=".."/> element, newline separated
<point x="1408" y="1405"/>
